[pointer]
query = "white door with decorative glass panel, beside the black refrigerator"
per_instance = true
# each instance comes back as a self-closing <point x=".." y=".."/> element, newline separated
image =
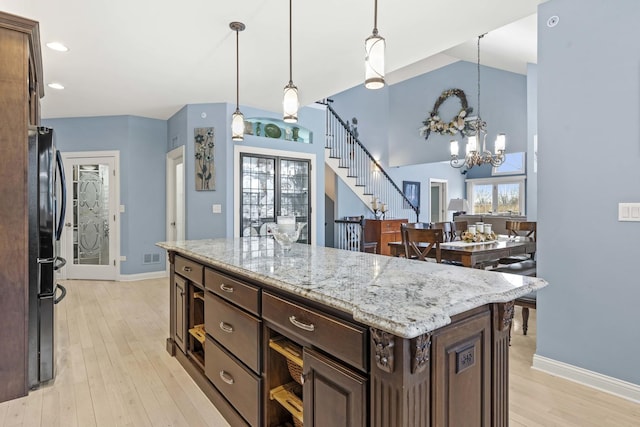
<point x="90" y="242"/>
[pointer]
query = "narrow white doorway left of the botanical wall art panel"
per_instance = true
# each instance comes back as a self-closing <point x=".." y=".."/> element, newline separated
<point x="176" y="228"/>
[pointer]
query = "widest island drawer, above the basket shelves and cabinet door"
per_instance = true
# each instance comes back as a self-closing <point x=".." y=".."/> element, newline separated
<point x="337" y="337"/>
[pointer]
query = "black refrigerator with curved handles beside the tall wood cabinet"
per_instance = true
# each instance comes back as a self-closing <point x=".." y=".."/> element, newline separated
<point x="47" y="200"/>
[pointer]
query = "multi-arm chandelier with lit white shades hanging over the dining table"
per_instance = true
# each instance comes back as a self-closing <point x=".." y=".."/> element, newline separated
<point x="476" y="152"/>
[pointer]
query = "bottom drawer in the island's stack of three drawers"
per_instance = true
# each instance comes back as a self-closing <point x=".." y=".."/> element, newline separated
<point x="240" y="386"/>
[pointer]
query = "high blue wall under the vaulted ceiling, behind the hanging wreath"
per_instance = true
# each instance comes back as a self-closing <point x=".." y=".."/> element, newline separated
<point x="503" y="107"/>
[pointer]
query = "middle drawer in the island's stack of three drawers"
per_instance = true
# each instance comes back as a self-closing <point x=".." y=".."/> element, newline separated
<point x="236" y="330"/>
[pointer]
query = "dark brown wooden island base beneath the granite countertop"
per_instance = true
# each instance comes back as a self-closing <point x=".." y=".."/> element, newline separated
<point x="270" y="358"/>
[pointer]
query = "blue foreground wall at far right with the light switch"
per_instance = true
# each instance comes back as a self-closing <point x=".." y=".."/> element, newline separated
<point x="589" y="157"/>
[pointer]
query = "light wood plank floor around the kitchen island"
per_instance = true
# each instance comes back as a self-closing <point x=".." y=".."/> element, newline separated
<point x="113" y="370"/>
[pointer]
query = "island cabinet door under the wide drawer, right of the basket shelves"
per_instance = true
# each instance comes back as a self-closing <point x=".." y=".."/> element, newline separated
<point x="333" y="394"/>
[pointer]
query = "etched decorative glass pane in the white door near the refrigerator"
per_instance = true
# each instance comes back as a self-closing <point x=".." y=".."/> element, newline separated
<point x="91" y="214"/>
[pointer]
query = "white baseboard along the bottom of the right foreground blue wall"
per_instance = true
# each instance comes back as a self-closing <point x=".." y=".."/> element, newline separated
<point x="591" y="379"/>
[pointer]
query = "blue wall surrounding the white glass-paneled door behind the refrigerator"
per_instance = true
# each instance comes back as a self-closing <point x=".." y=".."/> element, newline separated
<point x="142" y="146"/>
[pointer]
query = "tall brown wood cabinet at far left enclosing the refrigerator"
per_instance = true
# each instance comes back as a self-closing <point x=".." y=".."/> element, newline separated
<point x="20" y="91"/>
